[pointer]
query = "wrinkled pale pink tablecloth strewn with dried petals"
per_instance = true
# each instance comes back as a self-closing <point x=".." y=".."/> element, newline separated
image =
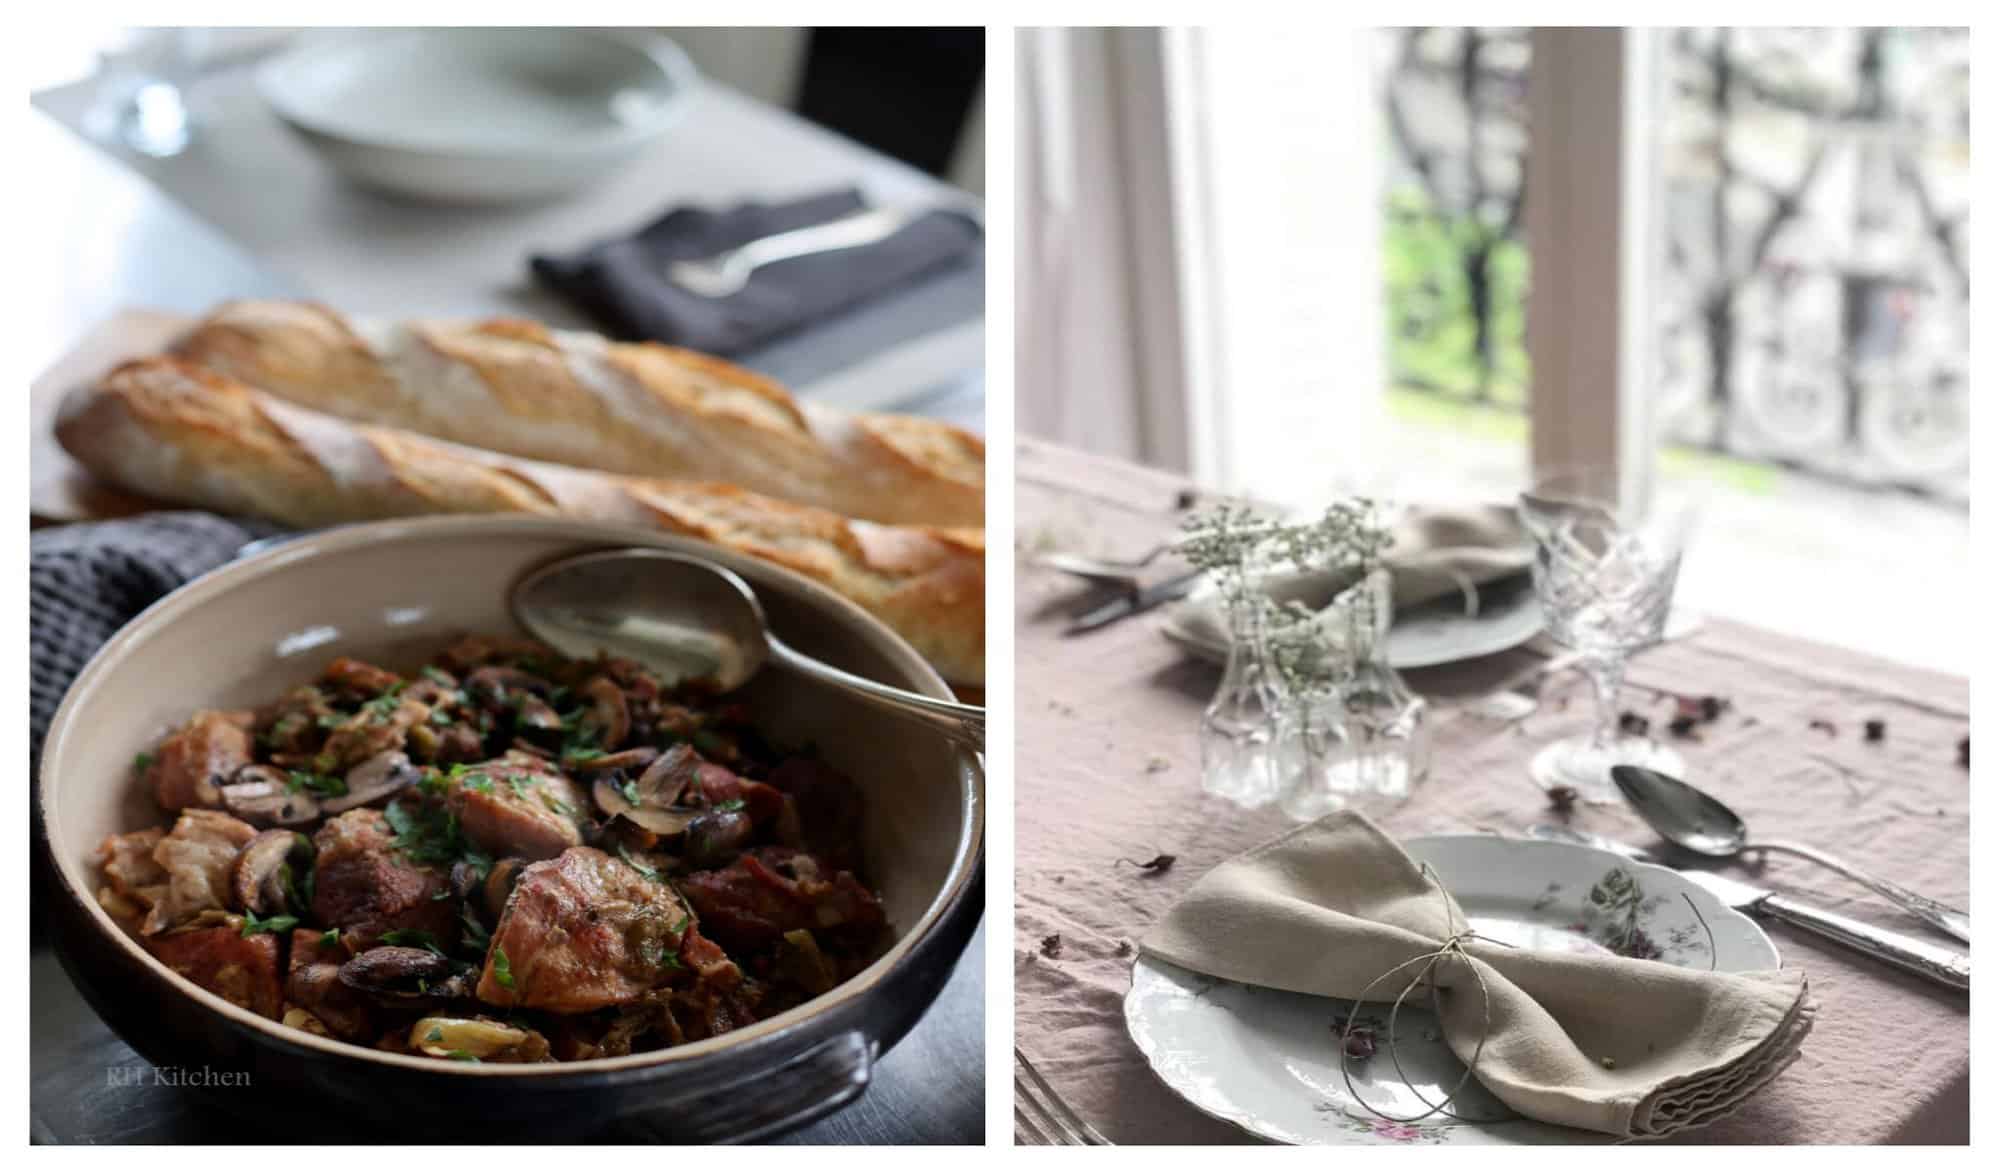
<point x="1109" y="769"/>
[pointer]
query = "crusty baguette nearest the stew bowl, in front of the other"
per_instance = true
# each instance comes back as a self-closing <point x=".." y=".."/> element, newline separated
<point x="175" y="431"/>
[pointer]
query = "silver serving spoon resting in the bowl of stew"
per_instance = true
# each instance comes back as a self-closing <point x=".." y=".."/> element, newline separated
<point x="691" y="619"/>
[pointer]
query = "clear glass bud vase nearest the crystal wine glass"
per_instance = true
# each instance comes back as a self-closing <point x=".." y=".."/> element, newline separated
<point x="1359" y="735"/>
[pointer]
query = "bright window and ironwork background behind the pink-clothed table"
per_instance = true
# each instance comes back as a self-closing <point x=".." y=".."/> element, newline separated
<point x="1421" y="261"/>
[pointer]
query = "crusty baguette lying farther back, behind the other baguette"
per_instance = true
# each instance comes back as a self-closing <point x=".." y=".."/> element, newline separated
<point x="577" y="399"/>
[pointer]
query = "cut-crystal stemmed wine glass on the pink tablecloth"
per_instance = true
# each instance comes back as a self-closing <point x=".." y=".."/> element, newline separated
<point x="1605" y="577"/>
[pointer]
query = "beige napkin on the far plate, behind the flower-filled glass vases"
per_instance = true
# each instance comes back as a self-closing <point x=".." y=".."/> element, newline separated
<point x="1437" y="553"/>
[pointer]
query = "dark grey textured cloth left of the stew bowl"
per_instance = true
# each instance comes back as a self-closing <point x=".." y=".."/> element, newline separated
<point x="87" y="581"/>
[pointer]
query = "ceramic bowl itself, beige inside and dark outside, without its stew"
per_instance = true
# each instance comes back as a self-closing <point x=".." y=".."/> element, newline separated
<point x="395" y="593"/>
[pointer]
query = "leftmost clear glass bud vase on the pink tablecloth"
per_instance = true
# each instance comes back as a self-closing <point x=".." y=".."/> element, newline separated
<point x="1239" y="727"/>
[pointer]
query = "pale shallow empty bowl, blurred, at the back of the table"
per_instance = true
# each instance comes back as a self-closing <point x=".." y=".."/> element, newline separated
<point x="479" y="115"/>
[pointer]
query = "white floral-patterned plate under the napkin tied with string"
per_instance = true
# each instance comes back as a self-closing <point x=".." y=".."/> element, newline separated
<point x="1269" y="1061"/>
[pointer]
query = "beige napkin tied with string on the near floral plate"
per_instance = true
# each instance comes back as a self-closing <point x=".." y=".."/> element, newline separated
<point x="1633" y="1049"/>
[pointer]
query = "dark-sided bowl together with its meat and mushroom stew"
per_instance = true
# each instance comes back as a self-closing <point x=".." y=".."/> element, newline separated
<point x="329" y="817"/>
